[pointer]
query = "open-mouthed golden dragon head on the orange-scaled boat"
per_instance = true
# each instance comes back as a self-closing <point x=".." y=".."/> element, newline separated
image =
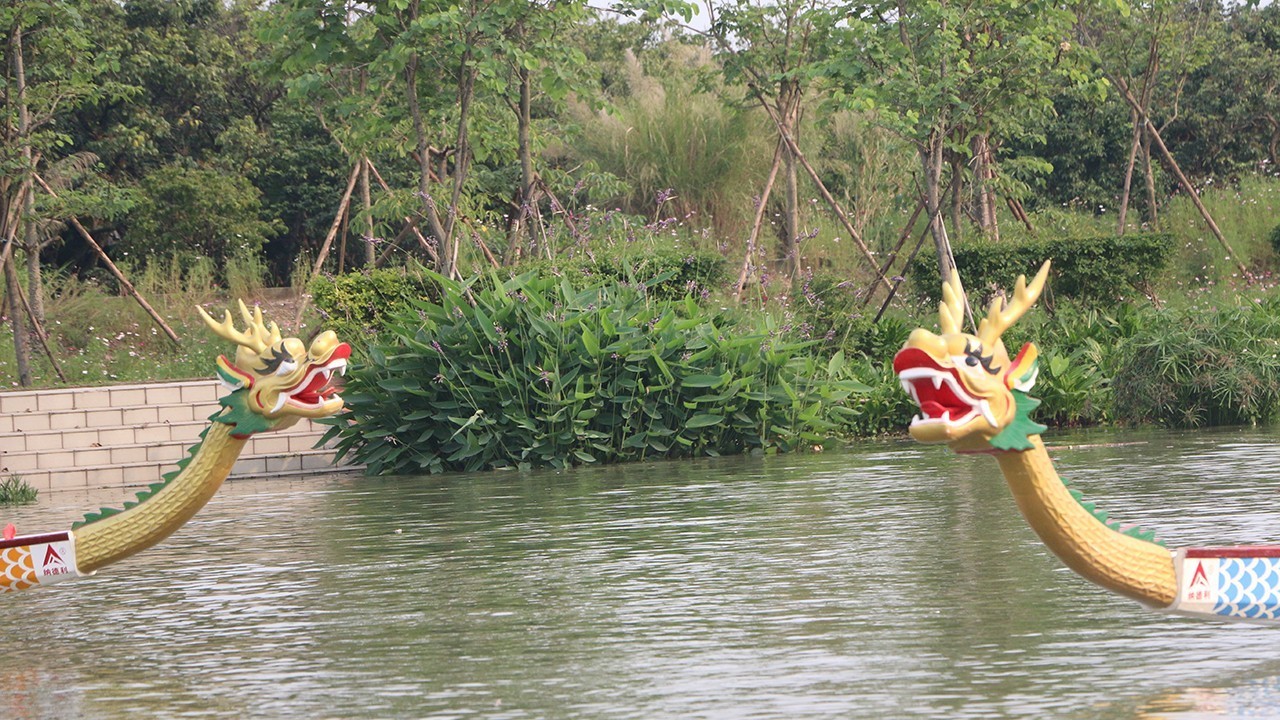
<point x="277" y="381"/>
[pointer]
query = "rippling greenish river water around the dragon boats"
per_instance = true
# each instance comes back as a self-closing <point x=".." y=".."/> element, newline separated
<point x="883" y="581"/>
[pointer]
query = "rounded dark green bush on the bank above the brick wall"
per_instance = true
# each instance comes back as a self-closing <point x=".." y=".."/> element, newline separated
<point x="196" y="212"/>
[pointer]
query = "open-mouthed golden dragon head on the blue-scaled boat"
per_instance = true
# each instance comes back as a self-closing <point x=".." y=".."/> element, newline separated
<point x="971" y="395"/>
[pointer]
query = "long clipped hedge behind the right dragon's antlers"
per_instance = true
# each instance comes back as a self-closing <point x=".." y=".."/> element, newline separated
<point x="1087" y="270"/>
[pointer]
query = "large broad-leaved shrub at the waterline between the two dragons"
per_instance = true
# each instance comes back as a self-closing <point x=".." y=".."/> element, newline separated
<point x="533" y="372"/>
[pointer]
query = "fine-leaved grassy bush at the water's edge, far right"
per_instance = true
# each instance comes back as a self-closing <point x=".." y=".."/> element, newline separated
<point x="1203" y="367"/>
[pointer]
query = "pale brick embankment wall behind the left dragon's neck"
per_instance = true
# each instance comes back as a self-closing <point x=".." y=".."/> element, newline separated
<point x="125" y="436"/>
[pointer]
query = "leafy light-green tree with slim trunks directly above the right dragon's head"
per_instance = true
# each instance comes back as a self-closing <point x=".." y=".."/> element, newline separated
<point x="957" y="80"/>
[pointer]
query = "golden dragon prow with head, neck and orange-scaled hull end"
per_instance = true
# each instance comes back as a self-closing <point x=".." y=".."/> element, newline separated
<point x="273" y="381"/>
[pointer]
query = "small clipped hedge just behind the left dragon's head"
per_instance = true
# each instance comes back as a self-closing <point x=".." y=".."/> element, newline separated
<point x="360" y="306"/>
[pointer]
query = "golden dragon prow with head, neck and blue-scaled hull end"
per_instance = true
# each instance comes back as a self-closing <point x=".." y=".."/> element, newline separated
<point x="975" y="399"/>
